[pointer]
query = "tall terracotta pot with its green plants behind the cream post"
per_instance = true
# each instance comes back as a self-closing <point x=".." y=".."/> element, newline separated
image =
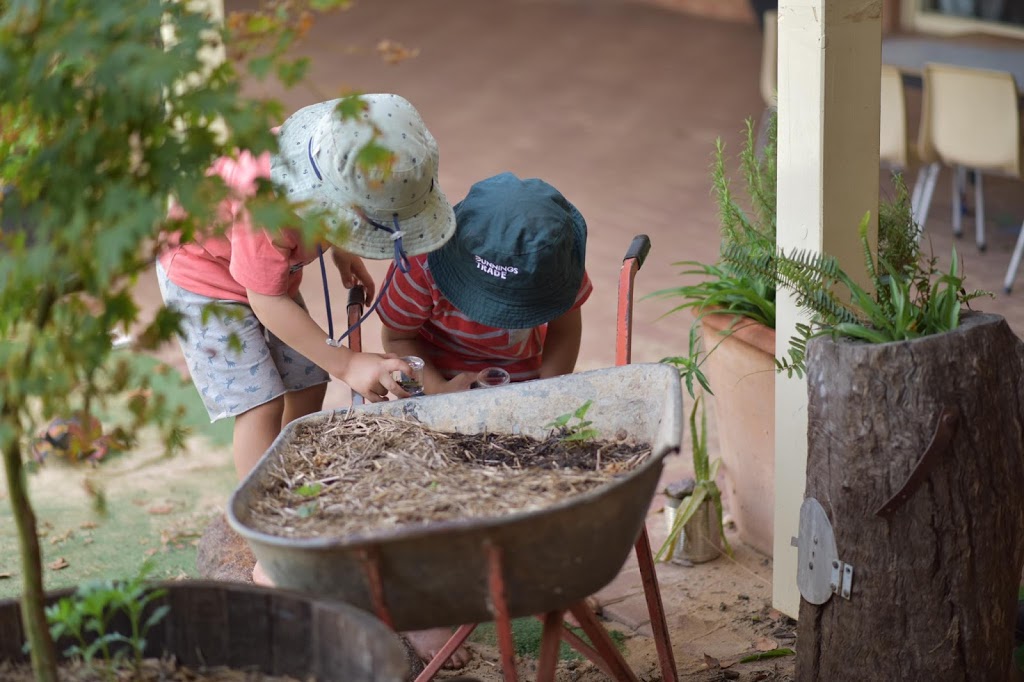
<point x="732" y="340"/>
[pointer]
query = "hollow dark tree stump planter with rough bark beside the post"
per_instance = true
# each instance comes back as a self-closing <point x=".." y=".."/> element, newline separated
<point x="936" y="575"/>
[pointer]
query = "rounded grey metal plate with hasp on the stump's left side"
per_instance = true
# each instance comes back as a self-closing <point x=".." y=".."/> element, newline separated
<point x="821" y="573"/>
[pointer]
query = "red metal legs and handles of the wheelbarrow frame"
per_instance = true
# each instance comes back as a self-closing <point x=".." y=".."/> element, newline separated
<point x="603" y="653"/>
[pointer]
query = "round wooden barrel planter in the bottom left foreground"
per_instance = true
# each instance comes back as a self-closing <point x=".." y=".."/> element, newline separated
<point x="249" y="628"/>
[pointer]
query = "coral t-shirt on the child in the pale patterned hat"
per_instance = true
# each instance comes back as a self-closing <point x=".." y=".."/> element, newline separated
<point x="244" y="258"/>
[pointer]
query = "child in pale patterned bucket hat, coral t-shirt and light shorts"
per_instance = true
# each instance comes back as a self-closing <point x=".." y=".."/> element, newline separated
<point x="282" y="368"/>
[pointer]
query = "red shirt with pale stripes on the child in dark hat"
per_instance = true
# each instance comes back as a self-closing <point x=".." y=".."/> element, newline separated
<point x="455" y="343"/>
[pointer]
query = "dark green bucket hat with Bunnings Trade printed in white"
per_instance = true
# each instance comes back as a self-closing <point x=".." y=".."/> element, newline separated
<point x="518" y="258"/>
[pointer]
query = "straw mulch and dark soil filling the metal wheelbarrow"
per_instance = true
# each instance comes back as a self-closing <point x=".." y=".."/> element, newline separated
<point x="363" y="474"/>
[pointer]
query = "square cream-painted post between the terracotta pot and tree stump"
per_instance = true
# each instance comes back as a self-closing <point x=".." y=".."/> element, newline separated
<point x="830" y="54"/>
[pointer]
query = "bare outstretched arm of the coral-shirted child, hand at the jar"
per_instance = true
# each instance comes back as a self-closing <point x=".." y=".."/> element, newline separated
<point x="368" y="374"/>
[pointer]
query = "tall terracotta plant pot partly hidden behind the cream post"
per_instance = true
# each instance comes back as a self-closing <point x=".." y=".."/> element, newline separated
<point x="741" y="370"/>
